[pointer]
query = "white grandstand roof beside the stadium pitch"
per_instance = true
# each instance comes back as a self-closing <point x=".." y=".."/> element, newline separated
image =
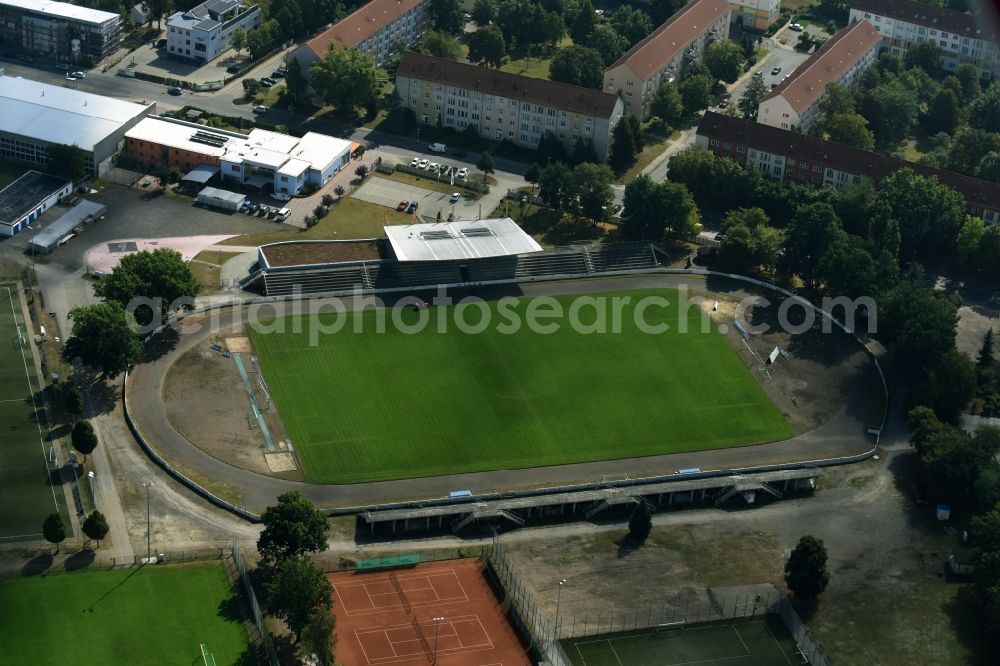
<point x="448" y="241"/>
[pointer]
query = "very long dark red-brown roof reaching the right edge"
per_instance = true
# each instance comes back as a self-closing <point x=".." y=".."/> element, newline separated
<point x="838" y="156"/>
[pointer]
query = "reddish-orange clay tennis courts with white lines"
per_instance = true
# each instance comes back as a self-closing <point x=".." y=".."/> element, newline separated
<point x="408" y="617"/>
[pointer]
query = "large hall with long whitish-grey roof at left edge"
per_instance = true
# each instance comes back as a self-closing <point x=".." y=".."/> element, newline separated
<point x="34" y="116"/>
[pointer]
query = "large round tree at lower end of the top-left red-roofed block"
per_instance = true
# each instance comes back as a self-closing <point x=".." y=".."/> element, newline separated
<point x="346" y="77"/>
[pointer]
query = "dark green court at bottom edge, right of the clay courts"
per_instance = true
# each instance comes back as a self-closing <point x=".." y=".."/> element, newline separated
<point x="758" y="642"/>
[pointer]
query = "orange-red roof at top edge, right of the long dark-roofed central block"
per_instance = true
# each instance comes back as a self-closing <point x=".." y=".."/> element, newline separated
<point x="679" y="30"/>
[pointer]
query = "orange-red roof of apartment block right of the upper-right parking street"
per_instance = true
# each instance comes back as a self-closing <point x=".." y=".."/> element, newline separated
<point x="806" y="84"/>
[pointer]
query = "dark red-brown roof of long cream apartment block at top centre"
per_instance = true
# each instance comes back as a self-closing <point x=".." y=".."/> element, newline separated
<point x="504" y="84"/>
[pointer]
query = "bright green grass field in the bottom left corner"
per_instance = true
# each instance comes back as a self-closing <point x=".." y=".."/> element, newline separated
<point x="153" y="615"/>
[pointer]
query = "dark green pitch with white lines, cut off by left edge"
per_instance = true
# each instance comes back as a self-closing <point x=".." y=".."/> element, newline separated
<point x="26" y="496"/>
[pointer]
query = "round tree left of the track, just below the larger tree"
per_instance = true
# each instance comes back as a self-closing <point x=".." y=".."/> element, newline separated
<point x="103" y="337"/>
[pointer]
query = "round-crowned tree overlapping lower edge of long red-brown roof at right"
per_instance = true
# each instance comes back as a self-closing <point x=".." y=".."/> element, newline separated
<point x="930" y="214"/>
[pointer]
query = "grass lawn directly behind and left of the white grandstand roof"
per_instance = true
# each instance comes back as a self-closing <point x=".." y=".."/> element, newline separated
<point x="350" y="218"/>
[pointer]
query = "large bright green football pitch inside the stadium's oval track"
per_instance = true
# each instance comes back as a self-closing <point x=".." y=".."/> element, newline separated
<point x="386" y="405"/>
